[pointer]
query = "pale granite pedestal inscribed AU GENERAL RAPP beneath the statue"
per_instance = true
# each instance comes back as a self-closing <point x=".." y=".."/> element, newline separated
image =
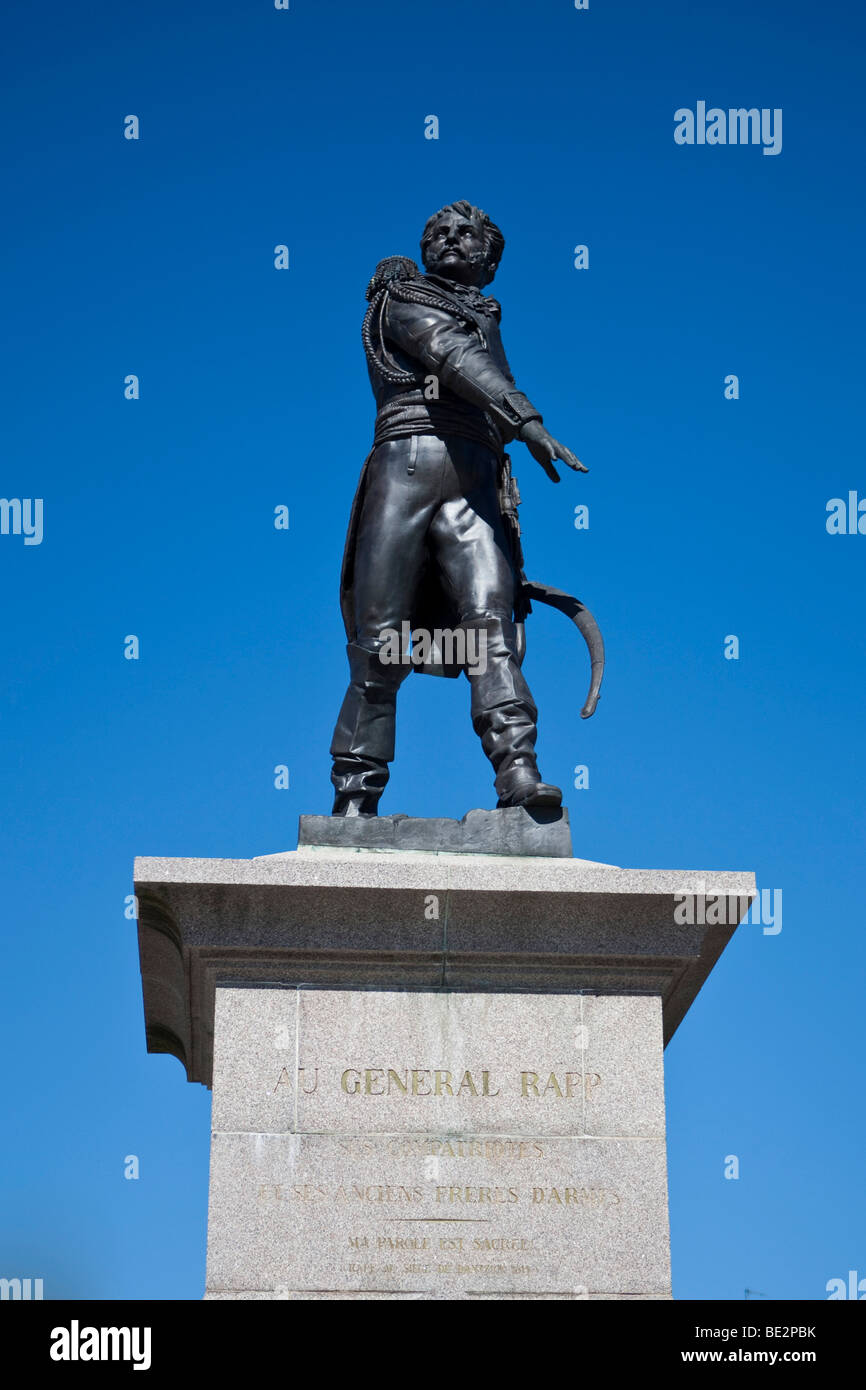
<point x="436" y="1074"/>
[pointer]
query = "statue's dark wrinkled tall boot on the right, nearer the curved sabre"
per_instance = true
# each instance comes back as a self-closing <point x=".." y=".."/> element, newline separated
<point x="505" y="717"/>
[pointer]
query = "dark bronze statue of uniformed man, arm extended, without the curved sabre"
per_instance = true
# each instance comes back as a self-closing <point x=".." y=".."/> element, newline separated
<point x="430" y="546"/>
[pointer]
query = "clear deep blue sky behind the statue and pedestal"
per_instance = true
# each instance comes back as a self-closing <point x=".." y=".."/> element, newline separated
<point x="707" y="519"/>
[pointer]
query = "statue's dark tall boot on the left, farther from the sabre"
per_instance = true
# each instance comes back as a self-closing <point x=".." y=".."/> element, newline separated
<point x="363" y="739"/>
